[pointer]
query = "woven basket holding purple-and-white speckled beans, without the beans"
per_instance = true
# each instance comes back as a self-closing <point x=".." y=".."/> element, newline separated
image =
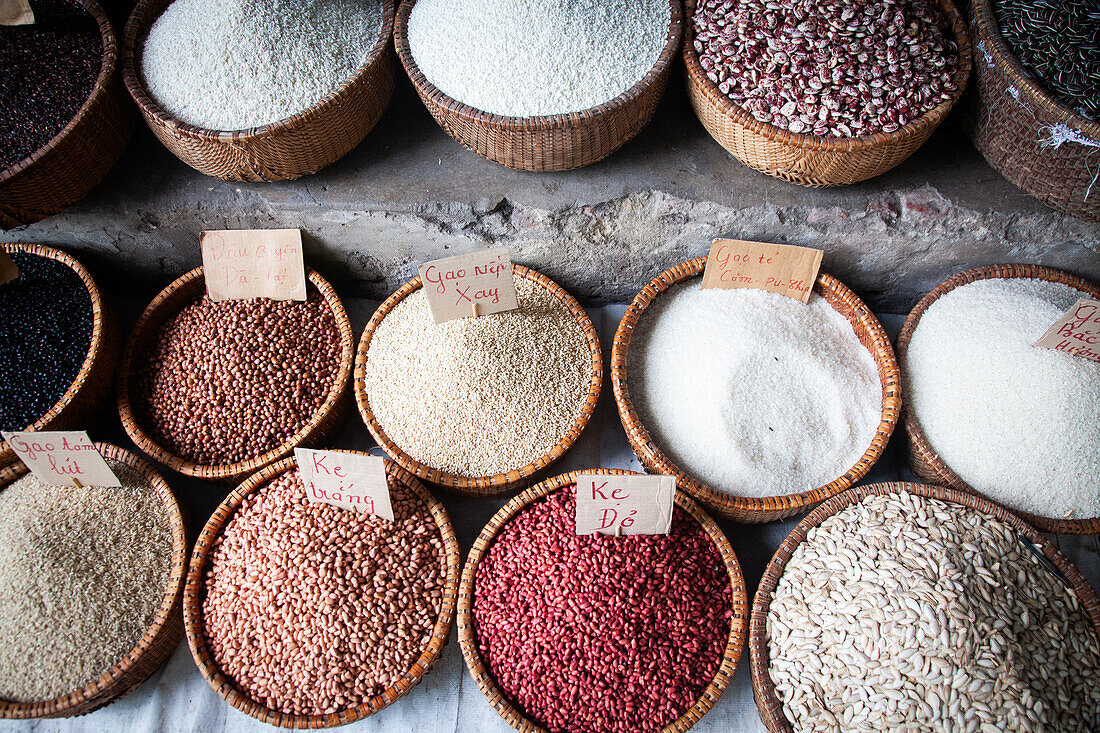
<point x="807" y="159"/>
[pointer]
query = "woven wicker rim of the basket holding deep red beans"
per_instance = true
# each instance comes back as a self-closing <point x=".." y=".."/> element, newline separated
<point x="468" y="634"/>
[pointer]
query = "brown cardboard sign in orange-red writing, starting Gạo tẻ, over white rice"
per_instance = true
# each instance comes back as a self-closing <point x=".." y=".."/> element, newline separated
<point x="783" y="269"/>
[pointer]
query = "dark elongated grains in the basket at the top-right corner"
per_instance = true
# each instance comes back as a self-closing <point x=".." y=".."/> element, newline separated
<point x="1059" y="42"/>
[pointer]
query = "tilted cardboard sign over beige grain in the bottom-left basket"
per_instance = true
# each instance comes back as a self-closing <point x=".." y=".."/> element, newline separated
<point x="64" y="458"/>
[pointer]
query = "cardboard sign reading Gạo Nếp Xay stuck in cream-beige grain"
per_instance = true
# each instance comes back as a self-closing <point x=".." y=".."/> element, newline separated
<point x="469" y="286"/>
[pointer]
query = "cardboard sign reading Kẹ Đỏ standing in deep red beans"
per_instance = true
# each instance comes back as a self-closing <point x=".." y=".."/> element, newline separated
<point x="624" y="505"/>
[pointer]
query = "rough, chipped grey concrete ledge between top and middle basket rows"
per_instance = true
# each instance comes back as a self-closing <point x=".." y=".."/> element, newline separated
<point x="409" y="193"/>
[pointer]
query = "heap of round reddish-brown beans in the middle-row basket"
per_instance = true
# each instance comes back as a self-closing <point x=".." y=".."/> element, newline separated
<point x="226" y="382"/>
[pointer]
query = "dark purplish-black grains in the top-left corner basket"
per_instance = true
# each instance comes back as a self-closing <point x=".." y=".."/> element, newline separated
<point x="47" y="73"/>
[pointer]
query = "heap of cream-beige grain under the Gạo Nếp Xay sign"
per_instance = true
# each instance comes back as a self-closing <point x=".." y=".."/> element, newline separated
<point x="479" y="397"/>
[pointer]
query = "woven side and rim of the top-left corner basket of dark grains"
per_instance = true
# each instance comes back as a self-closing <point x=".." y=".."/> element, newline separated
<point x="63" y="171"/>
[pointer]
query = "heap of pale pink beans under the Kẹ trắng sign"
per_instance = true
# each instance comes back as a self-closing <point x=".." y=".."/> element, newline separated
<point x="312" y="609"/>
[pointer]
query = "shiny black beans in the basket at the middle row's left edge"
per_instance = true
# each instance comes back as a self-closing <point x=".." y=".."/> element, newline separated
<point x="46" y="333"/>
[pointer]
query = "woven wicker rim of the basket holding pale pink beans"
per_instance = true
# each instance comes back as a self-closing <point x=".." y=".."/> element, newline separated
<point x="194" y="596"/>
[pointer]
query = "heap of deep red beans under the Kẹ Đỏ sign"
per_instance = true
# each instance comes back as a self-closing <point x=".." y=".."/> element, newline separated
<point x="601" y="633"/>
